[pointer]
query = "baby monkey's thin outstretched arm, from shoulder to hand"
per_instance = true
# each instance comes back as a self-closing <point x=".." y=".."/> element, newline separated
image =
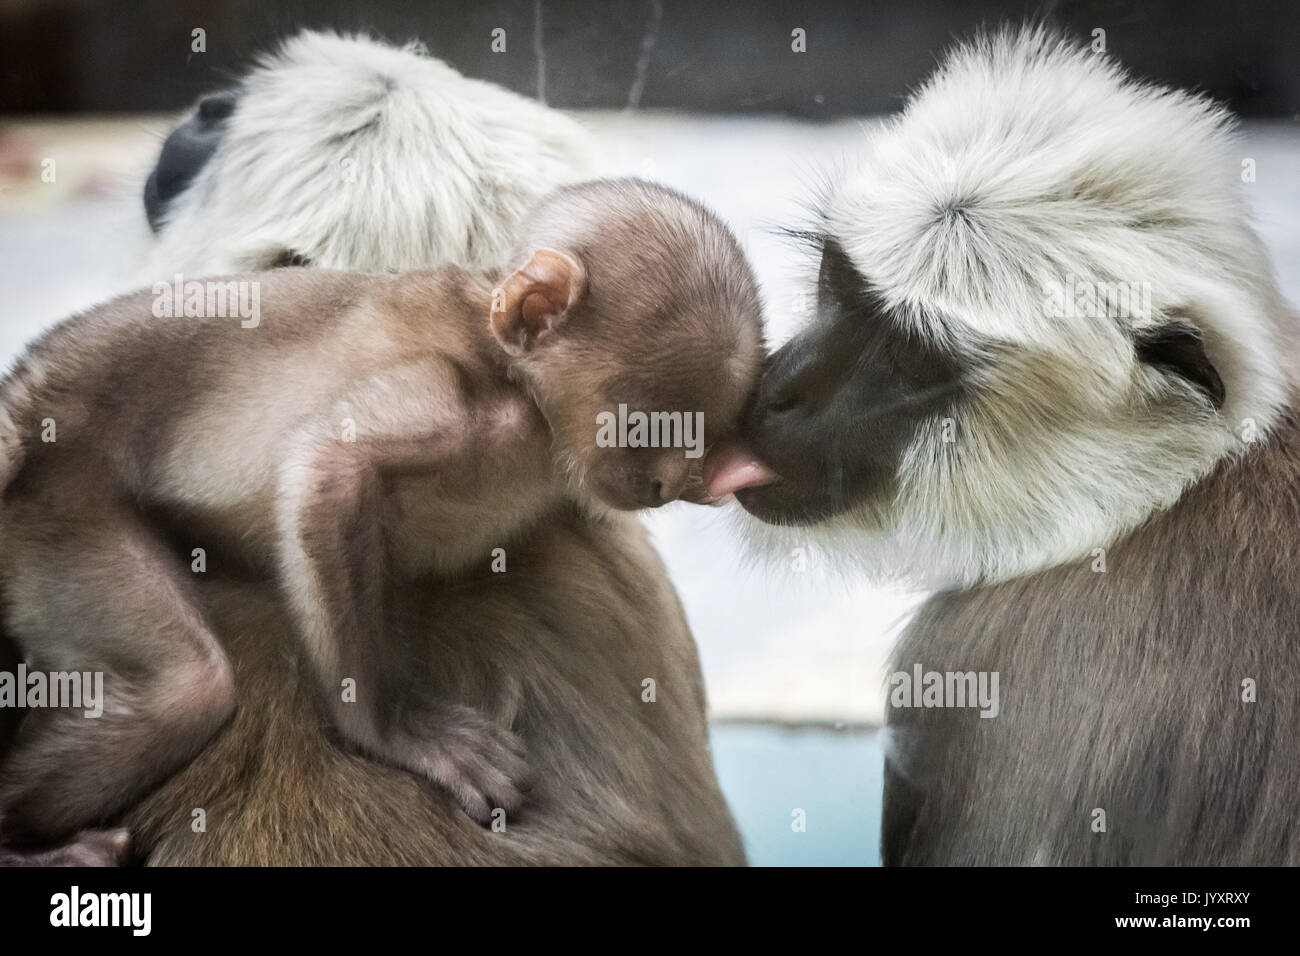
<point x="332" y="509"/>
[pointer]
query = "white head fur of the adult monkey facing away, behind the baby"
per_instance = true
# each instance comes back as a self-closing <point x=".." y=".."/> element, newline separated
<point x="358" y="155"/>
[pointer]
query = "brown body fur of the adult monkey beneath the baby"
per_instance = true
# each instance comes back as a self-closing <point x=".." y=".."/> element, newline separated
<point x="558" y="646"/>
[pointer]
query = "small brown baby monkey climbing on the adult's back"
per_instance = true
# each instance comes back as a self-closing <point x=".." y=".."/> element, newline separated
<point x="370" y="430"/>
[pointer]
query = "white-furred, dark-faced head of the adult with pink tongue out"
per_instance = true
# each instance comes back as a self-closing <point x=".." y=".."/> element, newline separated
<point x="1042" y="314"/>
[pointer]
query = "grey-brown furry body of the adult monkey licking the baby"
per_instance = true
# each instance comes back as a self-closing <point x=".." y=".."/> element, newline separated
<point x="1123" y="691"/>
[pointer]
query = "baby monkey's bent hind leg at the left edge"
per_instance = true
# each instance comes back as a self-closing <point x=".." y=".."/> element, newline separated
<point x="99" y="595"/>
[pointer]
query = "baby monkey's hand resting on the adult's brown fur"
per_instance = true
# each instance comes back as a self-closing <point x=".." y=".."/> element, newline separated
<point x="463" y="751"/>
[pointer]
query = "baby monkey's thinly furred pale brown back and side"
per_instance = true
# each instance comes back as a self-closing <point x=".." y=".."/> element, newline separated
<point x="197" y="408"/>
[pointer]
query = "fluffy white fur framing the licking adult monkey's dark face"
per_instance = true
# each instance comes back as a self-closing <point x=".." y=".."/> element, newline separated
<point x="1028" y="159"/>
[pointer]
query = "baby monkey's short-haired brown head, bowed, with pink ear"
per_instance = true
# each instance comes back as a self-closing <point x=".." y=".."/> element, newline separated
<point x="635" y="321"/>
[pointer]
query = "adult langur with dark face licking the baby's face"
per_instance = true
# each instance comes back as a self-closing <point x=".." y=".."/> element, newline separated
<point x="1051" y="374"/>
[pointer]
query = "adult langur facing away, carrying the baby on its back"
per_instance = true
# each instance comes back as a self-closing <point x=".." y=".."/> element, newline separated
<point x="345" y="153"/>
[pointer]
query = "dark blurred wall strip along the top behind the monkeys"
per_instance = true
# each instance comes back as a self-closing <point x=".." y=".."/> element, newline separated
<point x="733" y="57"/>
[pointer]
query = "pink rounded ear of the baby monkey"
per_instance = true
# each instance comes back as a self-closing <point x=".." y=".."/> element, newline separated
<point x="536" y="300"/>
